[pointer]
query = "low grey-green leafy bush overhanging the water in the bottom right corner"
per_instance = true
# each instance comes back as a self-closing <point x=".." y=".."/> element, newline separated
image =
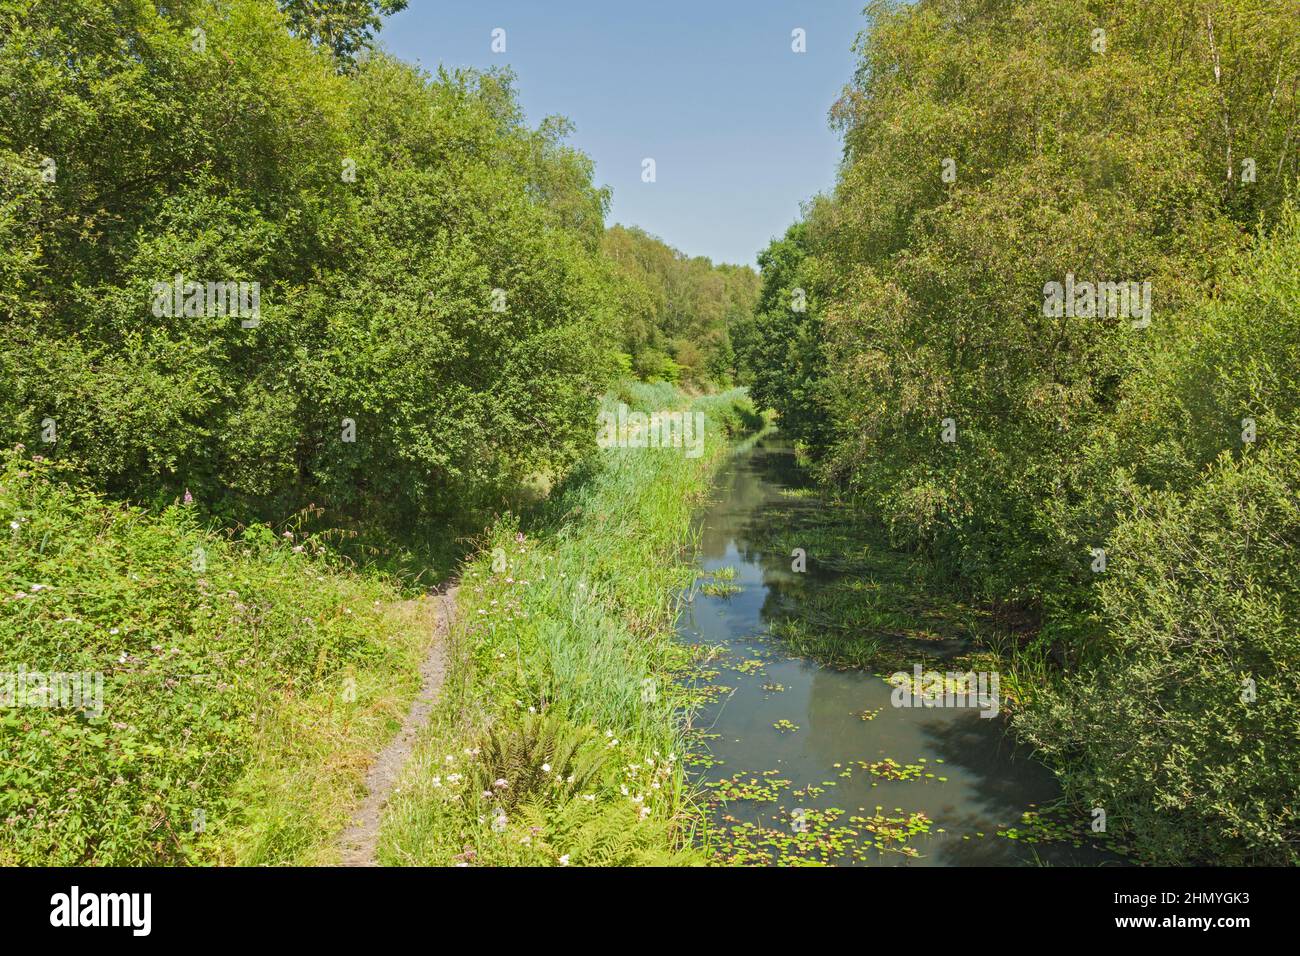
<point x="1185" y="728"/>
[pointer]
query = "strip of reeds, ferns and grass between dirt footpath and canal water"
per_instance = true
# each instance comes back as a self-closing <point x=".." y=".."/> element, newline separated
<point x="558" y="737"/>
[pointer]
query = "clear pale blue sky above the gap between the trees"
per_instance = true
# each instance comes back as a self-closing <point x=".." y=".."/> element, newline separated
<point x="709" y="89"/>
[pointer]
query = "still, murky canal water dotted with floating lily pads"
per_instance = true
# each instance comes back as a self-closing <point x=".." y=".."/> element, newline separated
<point x="805" y="723"/>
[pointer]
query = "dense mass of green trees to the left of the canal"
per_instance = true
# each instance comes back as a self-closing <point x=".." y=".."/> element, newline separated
<point x="437" y="302"/>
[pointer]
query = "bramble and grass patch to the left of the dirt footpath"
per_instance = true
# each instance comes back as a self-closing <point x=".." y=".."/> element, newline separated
<point x="246" y="684"/>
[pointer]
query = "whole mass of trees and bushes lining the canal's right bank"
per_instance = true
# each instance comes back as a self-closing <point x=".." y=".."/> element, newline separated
<point x="1126" y="479"/>
